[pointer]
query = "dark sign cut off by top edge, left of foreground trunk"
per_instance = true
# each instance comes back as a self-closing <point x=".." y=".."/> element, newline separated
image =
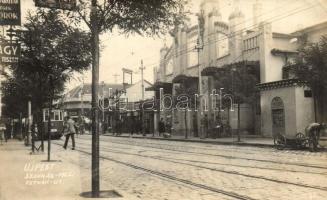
<point x="58" y="4"/>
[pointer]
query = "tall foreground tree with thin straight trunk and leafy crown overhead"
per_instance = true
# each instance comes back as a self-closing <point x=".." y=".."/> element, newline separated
<point x="144" y="17"/>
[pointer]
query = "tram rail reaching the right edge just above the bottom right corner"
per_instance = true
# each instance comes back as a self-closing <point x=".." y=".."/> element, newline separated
<point x="106" y="149"/>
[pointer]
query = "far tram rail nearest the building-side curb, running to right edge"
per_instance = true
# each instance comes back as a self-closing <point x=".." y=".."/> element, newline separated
<point x="218" y="155"/>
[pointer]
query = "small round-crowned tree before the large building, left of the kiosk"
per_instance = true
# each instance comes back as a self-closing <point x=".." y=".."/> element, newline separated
<point x="239" y="81"/>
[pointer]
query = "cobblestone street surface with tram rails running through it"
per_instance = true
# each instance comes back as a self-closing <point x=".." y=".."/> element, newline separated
<point x="168" y="170"/>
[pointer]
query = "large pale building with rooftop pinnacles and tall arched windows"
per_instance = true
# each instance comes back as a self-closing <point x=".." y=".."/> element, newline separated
<point x="221" y="48"/>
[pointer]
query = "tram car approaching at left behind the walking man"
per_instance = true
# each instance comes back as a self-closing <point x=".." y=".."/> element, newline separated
<point x="57" y="122"/>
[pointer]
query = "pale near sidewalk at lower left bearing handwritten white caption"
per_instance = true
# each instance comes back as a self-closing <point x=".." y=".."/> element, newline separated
<point x="29" y="177"/>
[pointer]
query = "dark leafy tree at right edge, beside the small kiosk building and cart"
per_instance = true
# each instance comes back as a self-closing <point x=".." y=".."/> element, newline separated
<point x="311" y="68"/>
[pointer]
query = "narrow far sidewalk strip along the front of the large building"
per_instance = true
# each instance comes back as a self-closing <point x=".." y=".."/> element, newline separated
<point x="245" y="140"/>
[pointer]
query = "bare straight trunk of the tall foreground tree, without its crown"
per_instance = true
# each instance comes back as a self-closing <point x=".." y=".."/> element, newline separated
<point x="95" y="99"/>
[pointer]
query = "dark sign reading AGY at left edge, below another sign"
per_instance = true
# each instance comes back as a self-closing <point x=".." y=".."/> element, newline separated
<point x="9" y="52"/>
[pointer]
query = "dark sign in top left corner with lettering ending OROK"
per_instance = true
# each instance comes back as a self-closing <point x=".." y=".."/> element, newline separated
<point x="10" y="12"/>
